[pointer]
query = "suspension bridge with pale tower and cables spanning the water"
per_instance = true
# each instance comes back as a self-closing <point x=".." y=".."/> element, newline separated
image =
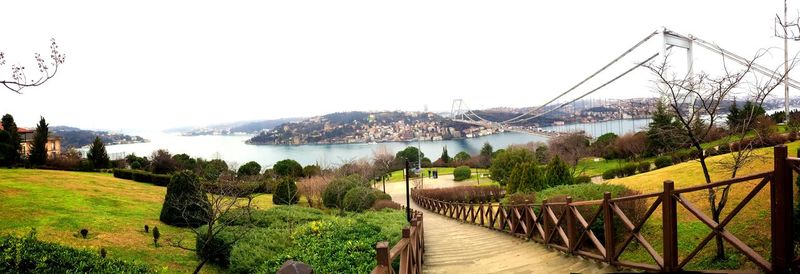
<point x="577" y="110"/>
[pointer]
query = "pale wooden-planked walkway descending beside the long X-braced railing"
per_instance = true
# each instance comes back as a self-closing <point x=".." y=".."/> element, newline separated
<point x="455" y="247"/>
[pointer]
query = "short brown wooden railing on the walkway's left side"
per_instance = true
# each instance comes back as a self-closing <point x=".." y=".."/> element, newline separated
<point x="410" y="249"/>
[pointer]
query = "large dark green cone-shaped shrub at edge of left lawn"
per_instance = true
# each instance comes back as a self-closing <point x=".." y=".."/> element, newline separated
<point x="186" y="203"/>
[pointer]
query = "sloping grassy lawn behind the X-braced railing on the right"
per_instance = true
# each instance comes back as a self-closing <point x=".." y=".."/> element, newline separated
<point x="751" y="225"/>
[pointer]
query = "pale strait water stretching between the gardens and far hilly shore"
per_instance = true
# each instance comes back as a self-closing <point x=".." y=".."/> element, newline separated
<point x="232" y="149"/>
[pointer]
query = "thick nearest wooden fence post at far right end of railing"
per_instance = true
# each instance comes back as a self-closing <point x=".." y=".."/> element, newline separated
<point x="781" y="212"/>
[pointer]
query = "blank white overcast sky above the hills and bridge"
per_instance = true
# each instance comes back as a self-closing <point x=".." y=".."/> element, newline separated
<point x="163" y="64"/>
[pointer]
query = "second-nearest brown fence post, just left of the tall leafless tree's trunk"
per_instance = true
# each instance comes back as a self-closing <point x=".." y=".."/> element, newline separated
<point x="670" y="227"/>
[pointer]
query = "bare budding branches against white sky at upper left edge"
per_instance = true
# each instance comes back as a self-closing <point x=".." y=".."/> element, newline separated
<point x="47" y="70"/>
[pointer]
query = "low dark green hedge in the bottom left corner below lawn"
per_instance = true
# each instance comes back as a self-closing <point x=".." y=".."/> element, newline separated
<point x="29" y="255"/>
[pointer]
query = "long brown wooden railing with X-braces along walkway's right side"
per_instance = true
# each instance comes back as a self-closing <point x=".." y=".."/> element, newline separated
<point x="562" y="226"/>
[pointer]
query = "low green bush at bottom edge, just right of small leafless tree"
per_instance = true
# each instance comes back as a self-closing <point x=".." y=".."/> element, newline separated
<point x="257" y="246"/>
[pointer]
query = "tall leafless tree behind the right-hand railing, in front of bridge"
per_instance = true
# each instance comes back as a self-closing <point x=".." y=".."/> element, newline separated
<point x="695" y="101"/>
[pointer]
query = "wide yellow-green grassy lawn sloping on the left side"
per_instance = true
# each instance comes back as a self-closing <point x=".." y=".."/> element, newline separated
<point x="58" y="204"/>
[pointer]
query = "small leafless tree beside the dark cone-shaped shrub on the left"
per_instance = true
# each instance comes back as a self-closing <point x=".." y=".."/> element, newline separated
<point x="230" y="202"/>
